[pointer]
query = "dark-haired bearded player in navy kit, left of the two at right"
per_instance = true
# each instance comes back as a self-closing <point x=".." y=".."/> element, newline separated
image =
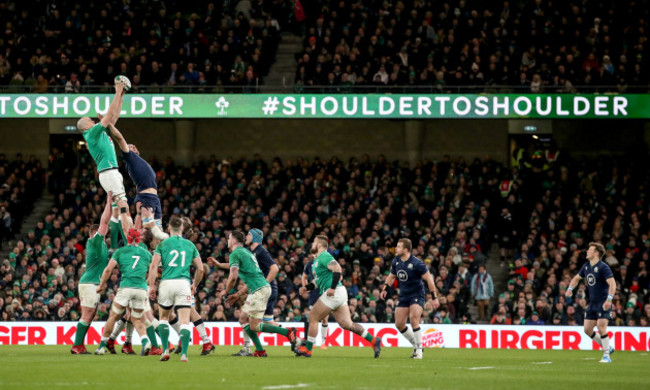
<point x="410" y="271"/>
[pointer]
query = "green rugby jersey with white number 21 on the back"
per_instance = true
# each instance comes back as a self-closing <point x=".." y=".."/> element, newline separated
<point x="177" y="254"/>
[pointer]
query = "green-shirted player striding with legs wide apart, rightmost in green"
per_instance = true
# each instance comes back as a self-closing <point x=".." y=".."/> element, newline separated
<point x="334" y="299"/>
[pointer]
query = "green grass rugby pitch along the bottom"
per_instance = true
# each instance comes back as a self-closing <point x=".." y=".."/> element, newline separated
<point x="53" y="367"/>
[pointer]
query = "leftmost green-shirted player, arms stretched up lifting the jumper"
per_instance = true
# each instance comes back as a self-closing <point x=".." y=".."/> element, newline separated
<point x="96" y="261"/>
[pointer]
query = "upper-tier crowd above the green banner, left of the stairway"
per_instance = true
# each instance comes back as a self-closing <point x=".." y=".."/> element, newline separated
<point x="74" y="47"/>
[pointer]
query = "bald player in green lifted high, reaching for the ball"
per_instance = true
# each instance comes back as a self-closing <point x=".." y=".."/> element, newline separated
<point x="101" y="148"/>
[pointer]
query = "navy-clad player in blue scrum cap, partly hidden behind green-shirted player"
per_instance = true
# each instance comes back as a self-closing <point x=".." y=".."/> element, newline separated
<point x="269" y="270"/>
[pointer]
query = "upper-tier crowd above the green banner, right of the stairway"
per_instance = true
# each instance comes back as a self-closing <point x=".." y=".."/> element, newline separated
<point x="533" y="46"/>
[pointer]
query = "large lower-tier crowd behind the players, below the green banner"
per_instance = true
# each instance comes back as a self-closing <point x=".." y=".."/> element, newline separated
<point x="454" y="211"/>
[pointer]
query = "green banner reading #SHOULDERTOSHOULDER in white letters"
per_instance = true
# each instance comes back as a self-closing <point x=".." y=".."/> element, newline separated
<point x="369" y="106"/>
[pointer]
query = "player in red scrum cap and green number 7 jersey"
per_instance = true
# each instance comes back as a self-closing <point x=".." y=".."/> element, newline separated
<point x="133" y="261"/>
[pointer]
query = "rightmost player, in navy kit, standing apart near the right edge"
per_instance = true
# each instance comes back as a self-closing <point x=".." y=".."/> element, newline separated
<point x="601" y="286"/>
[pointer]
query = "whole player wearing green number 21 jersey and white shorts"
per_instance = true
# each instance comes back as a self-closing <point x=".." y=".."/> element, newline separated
<point x="177" y="255"/>
